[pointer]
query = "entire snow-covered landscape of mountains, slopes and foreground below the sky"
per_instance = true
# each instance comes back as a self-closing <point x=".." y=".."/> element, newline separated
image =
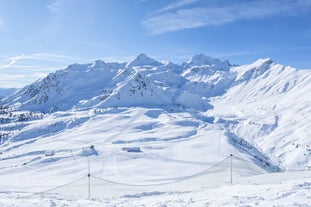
<point x="145" y="123"/>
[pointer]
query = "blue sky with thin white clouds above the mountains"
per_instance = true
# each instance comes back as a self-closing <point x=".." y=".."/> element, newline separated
<point x="40" y="36"/>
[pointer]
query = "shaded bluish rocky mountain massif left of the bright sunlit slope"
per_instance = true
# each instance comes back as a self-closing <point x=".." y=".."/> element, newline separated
<point x="142" y="81"/>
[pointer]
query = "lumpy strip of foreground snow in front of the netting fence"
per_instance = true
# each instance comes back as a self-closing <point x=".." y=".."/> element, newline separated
<point x="283" y="189"/>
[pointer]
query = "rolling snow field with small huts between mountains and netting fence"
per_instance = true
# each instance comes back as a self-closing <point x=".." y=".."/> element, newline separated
<point x="61" y="156"/>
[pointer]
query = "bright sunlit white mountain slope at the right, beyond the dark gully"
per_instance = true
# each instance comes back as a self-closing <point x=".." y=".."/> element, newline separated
<point x="268" y="106"/>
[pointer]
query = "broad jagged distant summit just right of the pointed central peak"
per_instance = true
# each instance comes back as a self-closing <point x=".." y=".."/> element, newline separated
<point x="200" y="60"/>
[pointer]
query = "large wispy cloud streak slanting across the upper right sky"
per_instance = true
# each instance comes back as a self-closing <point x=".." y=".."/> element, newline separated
<point x="187" y="14"/>
